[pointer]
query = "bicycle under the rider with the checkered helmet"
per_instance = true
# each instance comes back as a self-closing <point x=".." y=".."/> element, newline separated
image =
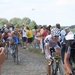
<point x="55" y="64"/>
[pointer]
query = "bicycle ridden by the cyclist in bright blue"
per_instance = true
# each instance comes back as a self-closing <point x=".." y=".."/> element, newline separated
<point x="15" y="52"/>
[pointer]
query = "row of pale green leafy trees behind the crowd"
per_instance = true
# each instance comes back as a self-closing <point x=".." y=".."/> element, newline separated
<point x="18" y="22"/>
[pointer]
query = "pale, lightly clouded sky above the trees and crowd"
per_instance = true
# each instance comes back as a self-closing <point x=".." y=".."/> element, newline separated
<point x="43" y="12"/>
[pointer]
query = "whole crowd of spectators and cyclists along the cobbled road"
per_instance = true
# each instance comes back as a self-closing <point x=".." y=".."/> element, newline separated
<point x="44" y="38"/>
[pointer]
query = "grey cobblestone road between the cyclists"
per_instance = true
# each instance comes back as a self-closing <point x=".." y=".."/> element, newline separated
<point x="30" y="64"/>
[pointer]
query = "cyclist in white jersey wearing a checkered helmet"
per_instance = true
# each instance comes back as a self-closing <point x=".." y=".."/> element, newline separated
<point x="51" y="41"/>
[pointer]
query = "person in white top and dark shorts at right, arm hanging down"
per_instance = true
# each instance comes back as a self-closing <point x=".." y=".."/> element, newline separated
<point x="68" y="40"/>
